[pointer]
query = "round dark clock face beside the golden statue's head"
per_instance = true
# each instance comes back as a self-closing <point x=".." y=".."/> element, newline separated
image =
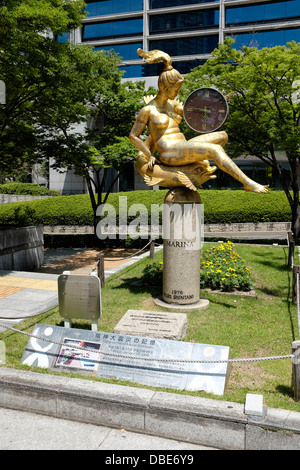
<point x="205" y="110"/>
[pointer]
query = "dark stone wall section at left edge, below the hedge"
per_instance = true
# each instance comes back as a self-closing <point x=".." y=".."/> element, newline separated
<point x="21" y="248"/>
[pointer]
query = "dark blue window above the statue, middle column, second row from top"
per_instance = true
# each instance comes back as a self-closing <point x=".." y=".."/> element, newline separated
<point x="200" y="19"/>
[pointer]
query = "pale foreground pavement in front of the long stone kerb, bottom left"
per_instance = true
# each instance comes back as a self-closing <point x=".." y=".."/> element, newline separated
<point x="21" y="430"/>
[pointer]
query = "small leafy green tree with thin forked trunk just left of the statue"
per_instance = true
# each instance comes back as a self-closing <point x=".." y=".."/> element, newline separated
<point x="103" y="144"/>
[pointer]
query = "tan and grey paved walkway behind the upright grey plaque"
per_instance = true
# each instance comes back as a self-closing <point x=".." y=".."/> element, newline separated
<point x="24" y="294"/>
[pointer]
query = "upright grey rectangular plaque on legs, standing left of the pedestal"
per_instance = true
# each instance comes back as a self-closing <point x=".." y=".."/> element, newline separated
<point x="79" y="296"/>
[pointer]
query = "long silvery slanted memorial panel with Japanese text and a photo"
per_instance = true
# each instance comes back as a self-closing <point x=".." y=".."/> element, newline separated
<point x="140" y="359"/>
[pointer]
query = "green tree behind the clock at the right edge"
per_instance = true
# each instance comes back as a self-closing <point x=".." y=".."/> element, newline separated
<point x="264" y="112"/>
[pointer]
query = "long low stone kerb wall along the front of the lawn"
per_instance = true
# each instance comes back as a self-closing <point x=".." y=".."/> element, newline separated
<point x="198" y="420"/>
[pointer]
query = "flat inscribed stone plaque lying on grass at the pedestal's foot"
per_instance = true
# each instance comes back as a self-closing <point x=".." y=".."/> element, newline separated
<point x="167" y="325"/>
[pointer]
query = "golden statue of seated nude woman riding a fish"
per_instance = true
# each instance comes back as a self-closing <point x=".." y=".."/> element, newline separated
<point x="180" y="162"/>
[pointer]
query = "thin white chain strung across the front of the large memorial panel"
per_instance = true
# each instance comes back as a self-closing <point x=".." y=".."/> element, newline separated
<point x="254" y="359"/>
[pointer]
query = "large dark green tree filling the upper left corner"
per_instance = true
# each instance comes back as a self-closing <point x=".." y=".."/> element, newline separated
<point x="31" y="61"/>
